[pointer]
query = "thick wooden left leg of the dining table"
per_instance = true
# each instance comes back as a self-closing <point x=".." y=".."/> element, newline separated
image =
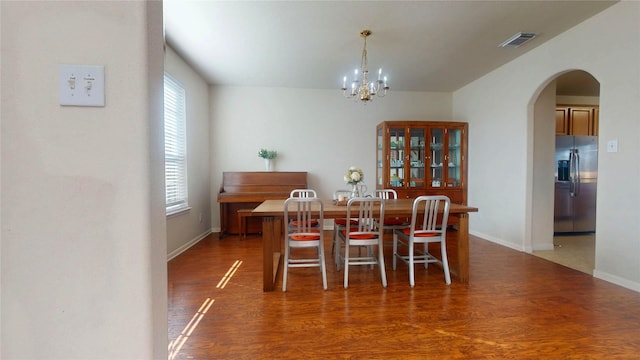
<point x="271" y="251"/>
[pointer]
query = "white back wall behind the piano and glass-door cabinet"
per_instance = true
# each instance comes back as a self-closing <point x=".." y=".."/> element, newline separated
<point x="318" y="131"/>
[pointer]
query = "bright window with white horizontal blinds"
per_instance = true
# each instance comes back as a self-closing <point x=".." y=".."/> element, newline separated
<point x="175" y="146"/>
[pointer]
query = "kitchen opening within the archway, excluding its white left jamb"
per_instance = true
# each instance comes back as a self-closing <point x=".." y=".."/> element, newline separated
<point x="575" y="174"/>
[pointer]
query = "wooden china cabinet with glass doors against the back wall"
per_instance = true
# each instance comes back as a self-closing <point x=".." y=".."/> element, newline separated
<point x="422" y="158"/>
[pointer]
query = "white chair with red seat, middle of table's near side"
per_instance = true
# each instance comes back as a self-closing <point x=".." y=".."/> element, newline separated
<point x="366" y="233"/>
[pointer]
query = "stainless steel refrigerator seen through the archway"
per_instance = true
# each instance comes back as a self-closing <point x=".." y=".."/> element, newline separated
<point x="576" y="183"/>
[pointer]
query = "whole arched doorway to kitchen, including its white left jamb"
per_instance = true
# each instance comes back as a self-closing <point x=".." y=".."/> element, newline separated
<point x="576" y="95"/>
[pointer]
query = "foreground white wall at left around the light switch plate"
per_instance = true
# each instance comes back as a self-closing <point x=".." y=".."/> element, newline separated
<point x="83" y="229"/>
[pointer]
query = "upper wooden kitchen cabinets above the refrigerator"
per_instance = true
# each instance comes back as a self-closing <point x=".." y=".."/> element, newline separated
<point x="576" y="120"/>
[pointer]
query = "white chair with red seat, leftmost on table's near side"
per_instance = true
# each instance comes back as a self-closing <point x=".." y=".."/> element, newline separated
<point x="300" y="211"/>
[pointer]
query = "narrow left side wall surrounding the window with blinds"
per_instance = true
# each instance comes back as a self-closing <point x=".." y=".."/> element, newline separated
<point x="186" y="228"/>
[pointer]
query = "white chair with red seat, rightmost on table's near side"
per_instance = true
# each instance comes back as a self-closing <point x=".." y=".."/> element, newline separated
<point x="427" y="226"/>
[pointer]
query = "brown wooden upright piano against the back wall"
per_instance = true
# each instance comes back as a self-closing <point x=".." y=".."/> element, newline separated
<point x="246" y="190"/>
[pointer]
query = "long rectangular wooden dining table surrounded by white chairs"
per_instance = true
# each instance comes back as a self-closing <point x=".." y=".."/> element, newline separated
<point x="272" y="214"/>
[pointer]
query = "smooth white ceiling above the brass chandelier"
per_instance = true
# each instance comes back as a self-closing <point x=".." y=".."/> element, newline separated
<point x="421" y="45"/>
